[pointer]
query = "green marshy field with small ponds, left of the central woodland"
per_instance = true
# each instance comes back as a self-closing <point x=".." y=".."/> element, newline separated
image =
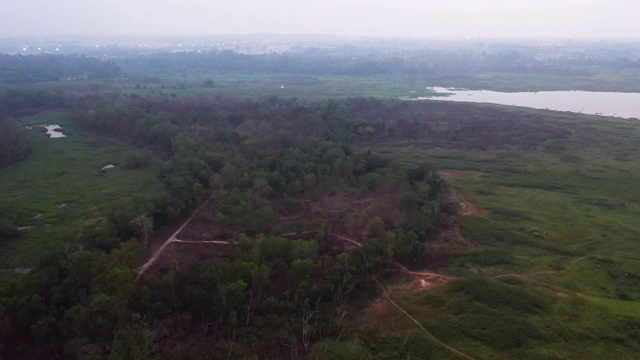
<point x="61" y="190"/>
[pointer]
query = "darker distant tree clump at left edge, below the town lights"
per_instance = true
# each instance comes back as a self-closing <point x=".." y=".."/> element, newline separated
<point x="16" y="69"/>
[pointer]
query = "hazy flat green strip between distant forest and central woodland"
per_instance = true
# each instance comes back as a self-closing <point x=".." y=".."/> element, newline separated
<point x="256" y="85"/>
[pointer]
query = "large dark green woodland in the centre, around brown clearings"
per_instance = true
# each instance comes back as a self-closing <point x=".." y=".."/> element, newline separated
<point x="269" y="165"/>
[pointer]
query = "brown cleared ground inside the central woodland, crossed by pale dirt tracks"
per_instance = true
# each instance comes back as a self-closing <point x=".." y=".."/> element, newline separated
<point x="196" y="238"/>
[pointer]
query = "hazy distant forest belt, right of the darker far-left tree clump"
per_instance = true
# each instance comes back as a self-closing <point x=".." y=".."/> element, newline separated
<point x="354" y="61"/>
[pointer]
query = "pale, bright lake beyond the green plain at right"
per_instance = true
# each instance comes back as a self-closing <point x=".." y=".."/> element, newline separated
<point x="623" y="105"/>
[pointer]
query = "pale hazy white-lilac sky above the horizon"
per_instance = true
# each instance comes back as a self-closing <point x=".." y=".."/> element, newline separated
<point x="387" y="18"/>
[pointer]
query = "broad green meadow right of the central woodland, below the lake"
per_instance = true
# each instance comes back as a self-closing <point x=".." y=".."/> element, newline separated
<point x="551" y="267"/>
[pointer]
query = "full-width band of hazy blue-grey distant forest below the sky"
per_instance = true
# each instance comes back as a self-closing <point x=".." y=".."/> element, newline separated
<point x="343" y="60"/>
